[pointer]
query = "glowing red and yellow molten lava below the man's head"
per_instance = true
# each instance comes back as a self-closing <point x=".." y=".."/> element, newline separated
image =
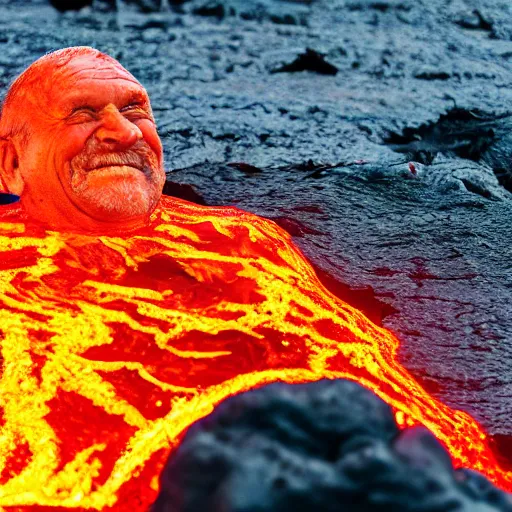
<point x="114" y="345"/>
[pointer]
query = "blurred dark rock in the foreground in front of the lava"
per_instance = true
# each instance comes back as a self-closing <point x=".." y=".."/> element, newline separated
<point x="322" y="447"/>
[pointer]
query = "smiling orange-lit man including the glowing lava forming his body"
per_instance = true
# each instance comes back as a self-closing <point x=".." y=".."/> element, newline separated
<point x="125" y="316"/>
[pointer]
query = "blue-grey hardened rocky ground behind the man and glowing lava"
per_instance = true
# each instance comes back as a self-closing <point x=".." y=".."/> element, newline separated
<point x="376" y="132"/>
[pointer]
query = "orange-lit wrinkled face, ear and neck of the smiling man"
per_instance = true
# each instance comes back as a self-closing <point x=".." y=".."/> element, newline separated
<point x="93" y="160"/>
